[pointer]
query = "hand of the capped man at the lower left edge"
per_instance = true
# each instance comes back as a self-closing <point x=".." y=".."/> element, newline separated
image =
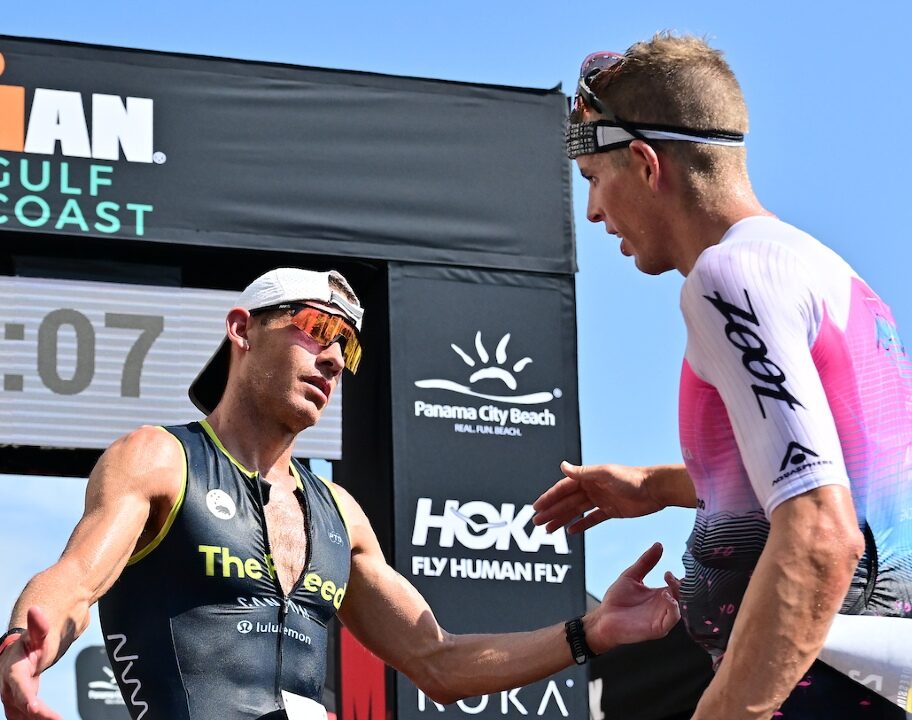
<point x="20" y="666"/>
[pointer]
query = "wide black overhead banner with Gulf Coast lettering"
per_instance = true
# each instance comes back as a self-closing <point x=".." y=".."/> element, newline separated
<point x="151" y="146"/>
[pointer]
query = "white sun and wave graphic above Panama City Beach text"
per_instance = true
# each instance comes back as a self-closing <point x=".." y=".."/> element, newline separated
<point x="500" y="370"/>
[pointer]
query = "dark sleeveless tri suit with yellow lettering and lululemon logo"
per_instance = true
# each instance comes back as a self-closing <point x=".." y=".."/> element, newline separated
<point x="197" y="626"/>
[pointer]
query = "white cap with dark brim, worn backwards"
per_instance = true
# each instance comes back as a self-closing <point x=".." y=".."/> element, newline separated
<point x="282" y="285"/>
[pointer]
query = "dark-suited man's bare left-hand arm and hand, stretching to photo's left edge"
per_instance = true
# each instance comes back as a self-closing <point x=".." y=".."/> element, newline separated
<point x="122" y="514"/>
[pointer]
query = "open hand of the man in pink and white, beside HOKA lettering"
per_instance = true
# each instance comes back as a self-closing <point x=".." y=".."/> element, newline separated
<point x="610" y="491"/>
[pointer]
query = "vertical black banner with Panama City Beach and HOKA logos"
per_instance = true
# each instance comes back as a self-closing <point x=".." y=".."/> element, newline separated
<point x="485" y="406"/>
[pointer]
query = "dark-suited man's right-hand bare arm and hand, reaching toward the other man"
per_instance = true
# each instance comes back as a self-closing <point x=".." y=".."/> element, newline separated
<point x="386" y="613"/>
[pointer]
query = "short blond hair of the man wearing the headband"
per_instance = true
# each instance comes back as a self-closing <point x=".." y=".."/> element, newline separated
<point x="682" y="82"/>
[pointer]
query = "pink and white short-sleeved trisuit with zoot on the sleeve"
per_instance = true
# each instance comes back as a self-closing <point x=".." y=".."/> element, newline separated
<point x="794" y="377"/>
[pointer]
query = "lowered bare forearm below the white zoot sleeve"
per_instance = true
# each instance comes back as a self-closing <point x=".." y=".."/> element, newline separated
<point x="795" y="591"/>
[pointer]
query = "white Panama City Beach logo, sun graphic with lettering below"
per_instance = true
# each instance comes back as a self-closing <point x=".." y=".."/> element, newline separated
<point x="493" y="380"/>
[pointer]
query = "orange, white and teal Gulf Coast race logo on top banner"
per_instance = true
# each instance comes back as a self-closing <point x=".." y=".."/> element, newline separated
<point x="71" y="195"/>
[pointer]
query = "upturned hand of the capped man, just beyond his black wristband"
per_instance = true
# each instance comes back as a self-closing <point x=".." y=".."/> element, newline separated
<point x="630" y="611"/>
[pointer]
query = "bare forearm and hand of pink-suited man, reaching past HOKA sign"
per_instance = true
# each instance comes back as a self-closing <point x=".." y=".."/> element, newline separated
<point x="611" y="491"/>
